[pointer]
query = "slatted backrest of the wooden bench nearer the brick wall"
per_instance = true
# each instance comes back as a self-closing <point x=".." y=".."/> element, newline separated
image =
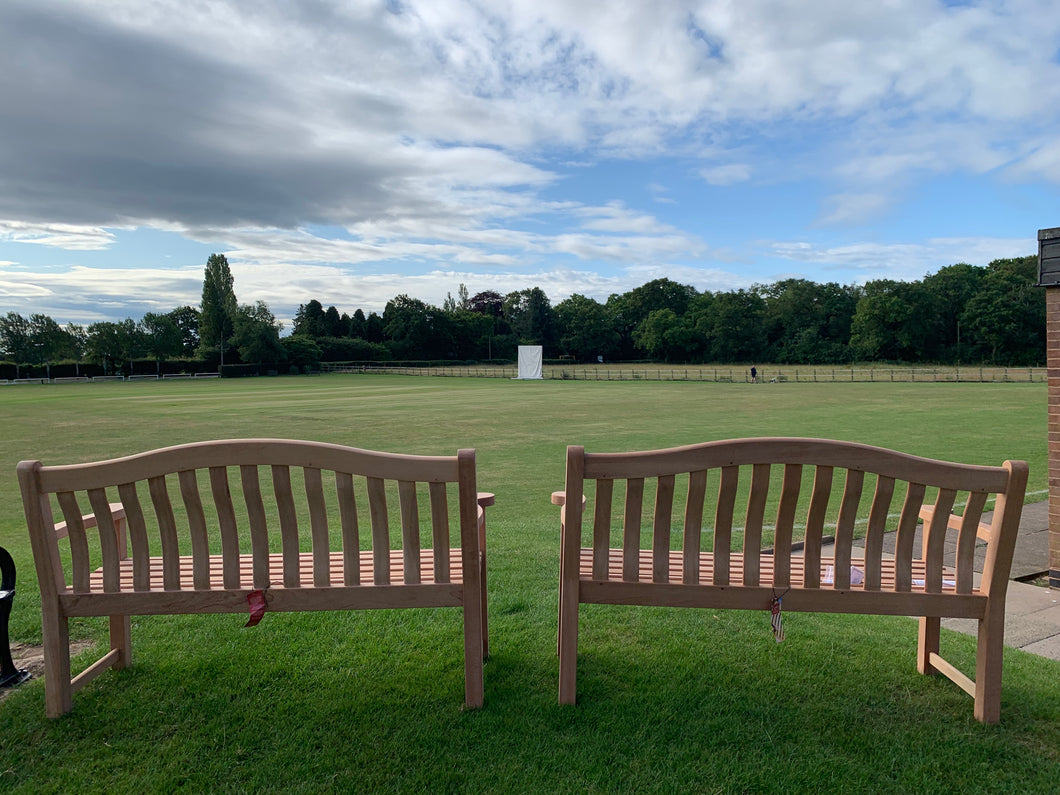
<point x="763" y="496"/>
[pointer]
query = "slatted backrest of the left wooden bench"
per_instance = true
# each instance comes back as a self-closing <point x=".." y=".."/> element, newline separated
<point x="260" y="498"/>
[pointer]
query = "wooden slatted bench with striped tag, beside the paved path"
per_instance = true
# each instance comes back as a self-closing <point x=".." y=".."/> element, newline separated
<point x="632" y="506"/>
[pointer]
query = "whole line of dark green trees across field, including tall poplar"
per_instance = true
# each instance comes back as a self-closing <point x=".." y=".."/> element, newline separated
<point x="962" y="314"/>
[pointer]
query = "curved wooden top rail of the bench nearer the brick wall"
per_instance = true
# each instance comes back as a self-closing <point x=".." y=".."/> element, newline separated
<point x="796" y="451"/>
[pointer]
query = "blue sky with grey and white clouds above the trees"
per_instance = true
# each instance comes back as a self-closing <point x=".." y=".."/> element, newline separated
<point x="354" y="151"/>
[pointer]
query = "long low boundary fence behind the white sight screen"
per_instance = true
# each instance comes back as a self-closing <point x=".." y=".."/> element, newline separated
<point x="726" y="375"/>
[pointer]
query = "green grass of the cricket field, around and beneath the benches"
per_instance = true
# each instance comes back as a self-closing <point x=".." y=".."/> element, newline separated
<point x="669" y="700"/>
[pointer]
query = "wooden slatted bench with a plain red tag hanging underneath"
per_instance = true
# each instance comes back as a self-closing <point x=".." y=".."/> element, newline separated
<point x="246" y="526"/>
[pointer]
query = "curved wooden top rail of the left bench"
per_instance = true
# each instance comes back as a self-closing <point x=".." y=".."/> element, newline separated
<point x="248" y="452"/>
